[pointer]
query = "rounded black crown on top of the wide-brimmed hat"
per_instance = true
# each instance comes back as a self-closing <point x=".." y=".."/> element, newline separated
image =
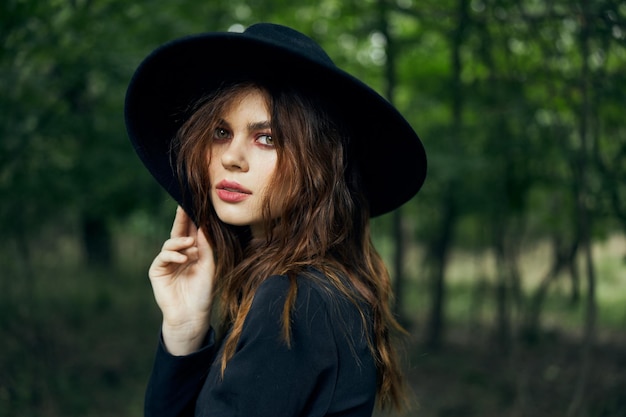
<point x="285" y="37"/>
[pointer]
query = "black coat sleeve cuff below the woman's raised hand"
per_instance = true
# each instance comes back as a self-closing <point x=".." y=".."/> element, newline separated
<point x="176" y="380"/>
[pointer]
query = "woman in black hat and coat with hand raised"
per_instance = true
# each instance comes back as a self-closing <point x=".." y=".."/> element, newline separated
<point x="277" y="159"/>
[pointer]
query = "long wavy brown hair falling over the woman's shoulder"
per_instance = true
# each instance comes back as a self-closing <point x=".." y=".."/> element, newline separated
<point x="323" y="222"/>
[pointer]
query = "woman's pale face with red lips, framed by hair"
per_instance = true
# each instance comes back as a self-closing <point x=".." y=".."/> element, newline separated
<point x="242" y="161"/>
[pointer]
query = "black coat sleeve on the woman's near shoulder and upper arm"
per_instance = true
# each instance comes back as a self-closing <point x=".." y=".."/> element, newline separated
<point x="265" y="376"/>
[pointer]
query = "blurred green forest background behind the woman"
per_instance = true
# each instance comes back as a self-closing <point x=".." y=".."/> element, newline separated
<point x="509" y="266"/>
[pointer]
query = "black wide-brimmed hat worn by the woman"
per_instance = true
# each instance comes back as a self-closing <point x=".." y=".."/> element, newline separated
<point x="171" y="79"/>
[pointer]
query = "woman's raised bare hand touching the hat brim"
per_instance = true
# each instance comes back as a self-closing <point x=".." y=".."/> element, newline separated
<point x="182" y="277"/>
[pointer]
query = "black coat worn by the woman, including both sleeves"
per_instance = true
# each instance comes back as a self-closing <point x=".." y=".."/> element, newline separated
<point x="328" y="371"/>
